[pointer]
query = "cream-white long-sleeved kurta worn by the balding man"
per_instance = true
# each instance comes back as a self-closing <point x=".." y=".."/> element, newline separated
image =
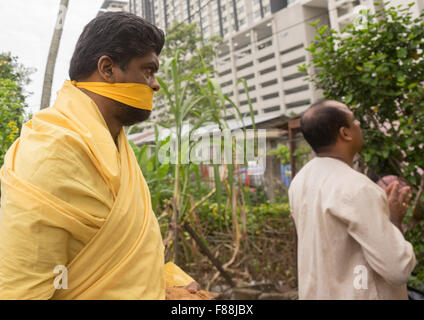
<point x="347" y="246"/>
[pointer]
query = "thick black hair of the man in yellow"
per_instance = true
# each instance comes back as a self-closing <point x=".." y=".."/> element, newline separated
<point x="119" y="35"/>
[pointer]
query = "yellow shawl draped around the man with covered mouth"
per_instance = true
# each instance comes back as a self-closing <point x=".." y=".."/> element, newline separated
<point x="70" y="198"/>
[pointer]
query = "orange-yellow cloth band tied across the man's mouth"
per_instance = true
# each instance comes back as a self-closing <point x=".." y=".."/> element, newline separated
<point x="136" y="95"/>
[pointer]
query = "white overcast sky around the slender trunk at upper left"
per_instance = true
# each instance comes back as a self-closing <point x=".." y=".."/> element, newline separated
<point x="26" y="29"/>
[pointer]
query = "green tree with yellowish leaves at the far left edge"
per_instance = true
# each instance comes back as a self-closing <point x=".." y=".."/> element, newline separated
<point x="13" y="78"/>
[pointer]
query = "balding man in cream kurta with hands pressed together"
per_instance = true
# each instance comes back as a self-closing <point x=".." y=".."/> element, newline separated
<point x="350" y="243"/>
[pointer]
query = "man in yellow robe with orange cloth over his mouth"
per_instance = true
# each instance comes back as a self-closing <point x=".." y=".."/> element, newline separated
<point x="74" y="202"/>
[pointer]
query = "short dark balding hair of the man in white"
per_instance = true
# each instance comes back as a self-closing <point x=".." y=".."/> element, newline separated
<point x="320" y="126"/>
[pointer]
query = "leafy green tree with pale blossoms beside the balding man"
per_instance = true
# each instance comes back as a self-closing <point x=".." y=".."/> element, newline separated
<point x="376" y="67"/>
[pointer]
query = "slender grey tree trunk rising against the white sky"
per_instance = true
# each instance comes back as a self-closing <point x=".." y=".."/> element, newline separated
<point x="51" y="60"/>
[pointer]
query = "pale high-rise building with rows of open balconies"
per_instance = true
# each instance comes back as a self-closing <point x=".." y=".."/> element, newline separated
<point x="264" y="43"/>
